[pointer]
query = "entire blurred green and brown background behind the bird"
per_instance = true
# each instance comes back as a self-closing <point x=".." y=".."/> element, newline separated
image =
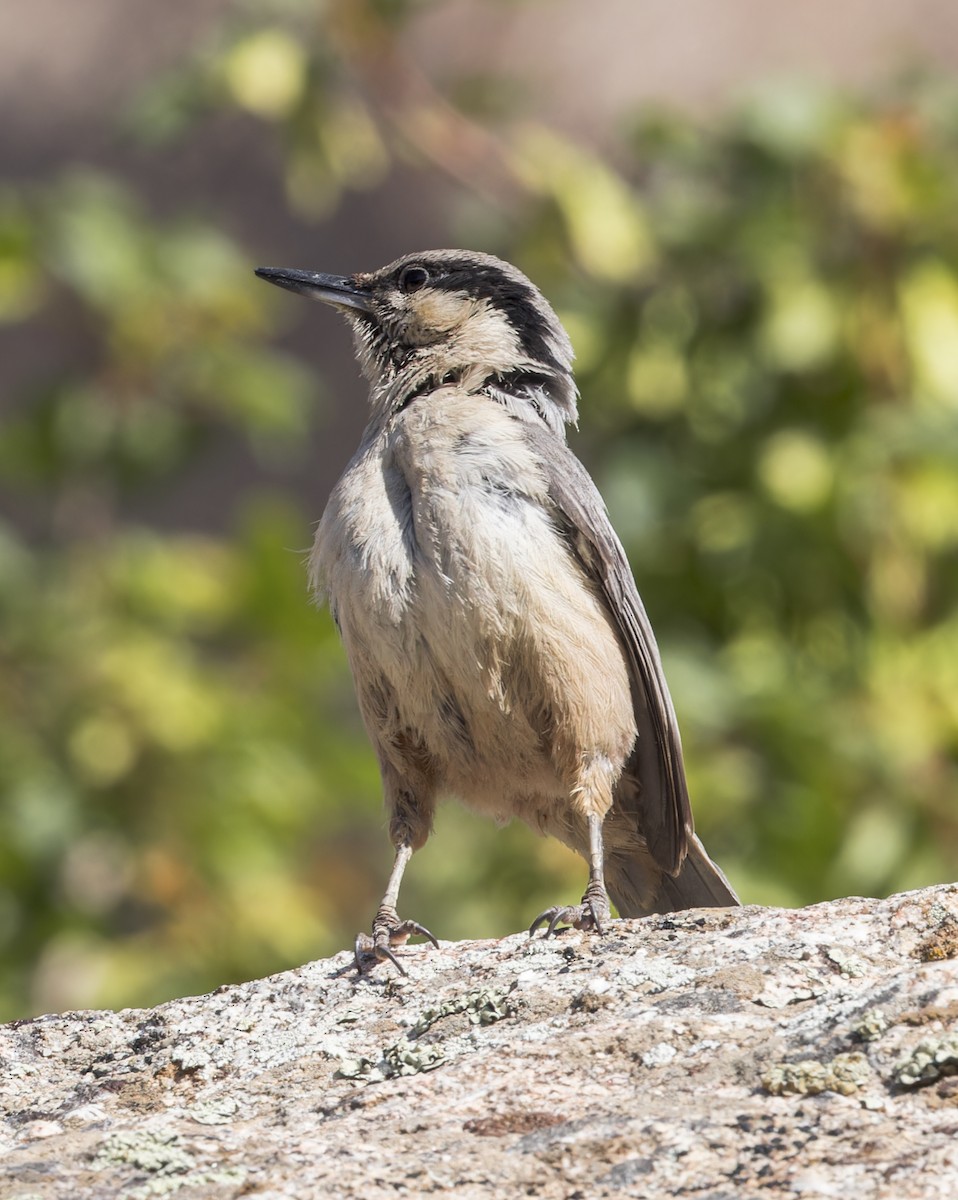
<point x="747" y="218"/>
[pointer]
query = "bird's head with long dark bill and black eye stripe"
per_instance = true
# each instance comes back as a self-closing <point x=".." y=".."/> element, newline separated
<point x="451" y="316"/>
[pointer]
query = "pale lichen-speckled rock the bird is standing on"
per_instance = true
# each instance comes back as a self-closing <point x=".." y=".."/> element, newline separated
<point x="752" y="1053"/>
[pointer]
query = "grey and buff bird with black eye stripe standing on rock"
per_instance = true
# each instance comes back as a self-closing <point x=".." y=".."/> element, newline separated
<point x="500" y="650"/>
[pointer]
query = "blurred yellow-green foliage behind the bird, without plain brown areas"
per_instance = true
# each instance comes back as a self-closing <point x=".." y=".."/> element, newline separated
<point x="765" y="311"/>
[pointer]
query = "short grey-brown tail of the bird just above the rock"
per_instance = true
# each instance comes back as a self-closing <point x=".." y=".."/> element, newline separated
<point x="639" y="889"/>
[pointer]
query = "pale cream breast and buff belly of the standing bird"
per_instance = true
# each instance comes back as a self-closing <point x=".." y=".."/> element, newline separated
<point x="472" y="629"/>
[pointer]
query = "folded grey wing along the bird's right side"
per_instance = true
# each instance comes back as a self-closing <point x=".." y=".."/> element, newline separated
<point x="654" y="787"/>
